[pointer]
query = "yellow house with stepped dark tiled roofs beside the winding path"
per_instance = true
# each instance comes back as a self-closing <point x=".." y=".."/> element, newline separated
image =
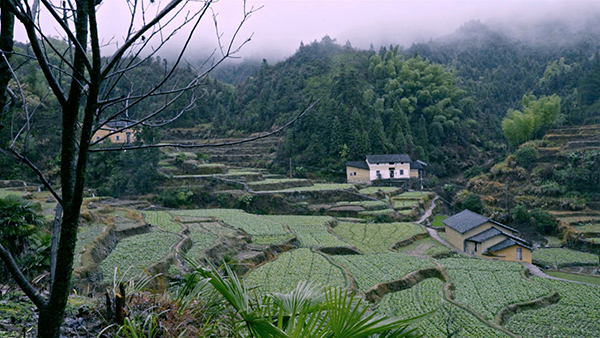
<point x="480" y="236"/>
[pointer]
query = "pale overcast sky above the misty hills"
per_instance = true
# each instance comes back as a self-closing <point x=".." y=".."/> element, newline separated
<point x="280" y="25"/>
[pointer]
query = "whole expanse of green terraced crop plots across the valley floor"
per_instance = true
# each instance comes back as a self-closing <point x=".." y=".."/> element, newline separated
<point x="483" y="287"/>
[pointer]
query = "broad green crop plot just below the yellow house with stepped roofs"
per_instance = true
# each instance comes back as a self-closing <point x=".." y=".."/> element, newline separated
<point x="488" y="286"/>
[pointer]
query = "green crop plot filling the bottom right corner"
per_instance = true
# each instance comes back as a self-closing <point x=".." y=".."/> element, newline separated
<point x="577" y="314"/>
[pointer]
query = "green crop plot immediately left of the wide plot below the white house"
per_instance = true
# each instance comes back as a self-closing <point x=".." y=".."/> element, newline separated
<point x="311" y="231"/>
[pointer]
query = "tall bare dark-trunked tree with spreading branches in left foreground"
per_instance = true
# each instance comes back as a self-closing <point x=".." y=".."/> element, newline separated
<point x="85" y="84"/>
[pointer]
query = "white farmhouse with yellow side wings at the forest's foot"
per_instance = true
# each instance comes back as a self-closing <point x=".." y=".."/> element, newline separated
<point x="384" y="167"/>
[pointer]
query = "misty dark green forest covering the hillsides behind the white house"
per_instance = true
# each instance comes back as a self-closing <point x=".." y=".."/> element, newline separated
<point x="441" y="101"/>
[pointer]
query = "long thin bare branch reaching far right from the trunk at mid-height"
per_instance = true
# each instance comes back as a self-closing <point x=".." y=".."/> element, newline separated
<point x="205" y="145"/>
